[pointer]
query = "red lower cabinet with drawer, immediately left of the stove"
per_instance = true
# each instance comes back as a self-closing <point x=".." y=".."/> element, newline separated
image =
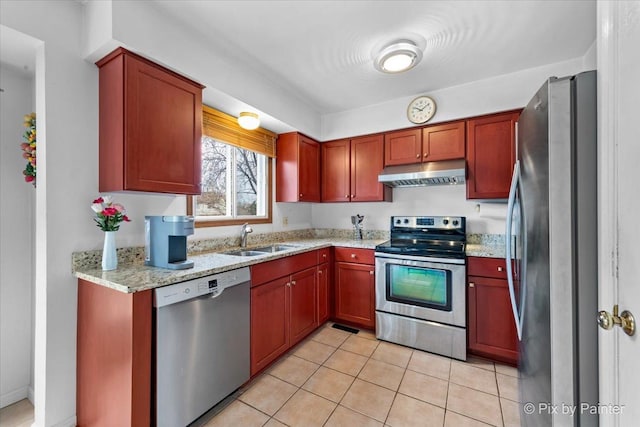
<point x="355" y="287"/>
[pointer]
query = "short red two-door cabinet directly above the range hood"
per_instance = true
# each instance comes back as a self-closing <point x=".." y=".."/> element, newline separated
<point x="431" y="143"/>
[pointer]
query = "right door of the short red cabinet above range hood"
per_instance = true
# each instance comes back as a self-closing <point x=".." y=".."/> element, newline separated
<point x="443" y="142"/>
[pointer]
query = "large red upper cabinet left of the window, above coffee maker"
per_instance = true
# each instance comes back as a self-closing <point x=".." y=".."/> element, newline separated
<point x="150" y="127"/>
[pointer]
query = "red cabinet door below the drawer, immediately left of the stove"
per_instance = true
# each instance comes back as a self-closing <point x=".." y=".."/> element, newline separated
<point x="355" y="294"/>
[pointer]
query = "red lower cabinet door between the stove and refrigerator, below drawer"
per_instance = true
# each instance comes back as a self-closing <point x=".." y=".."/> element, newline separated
<point x="492" y="330"/>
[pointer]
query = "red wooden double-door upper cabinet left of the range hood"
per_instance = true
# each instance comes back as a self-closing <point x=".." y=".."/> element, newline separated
<point x="350" y="169"/>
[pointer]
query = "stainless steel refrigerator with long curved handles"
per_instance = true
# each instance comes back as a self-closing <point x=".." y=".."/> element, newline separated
<point x="551" y="238"/>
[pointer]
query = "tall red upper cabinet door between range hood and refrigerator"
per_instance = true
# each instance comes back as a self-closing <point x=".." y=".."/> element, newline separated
<point x="491" y="155"/>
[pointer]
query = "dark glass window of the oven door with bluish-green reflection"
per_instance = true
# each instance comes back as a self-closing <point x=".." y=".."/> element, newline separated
<point x="424" y="287"/>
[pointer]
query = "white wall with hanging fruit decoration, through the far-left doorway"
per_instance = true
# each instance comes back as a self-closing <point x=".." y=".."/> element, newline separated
<point x="16" y="240"/>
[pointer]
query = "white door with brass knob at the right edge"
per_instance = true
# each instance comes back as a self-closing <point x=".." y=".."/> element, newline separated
<point x="619" y="206"/>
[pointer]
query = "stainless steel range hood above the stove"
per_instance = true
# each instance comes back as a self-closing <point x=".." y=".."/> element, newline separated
<point x="422" y="174"/>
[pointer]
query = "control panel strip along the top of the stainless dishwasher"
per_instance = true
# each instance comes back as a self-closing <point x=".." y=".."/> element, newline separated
<point x="208" y="285"/>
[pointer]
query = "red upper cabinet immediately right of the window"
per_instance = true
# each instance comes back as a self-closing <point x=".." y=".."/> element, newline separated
<point x="297" y="168"/>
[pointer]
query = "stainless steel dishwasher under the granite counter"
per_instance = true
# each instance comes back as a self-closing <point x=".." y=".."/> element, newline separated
<point x="201" y="344"/>
